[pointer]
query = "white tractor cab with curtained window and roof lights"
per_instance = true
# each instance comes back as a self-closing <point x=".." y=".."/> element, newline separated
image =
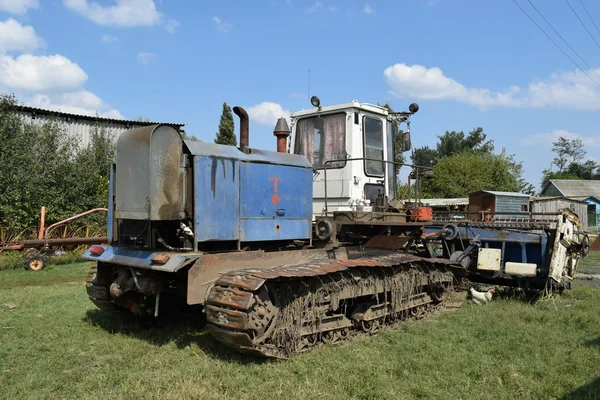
<point x="351" y="147"/>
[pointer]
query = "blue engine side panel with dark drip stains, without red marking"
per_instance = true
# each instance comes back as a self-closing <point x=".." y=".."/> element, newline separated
<point x="216" y="198"/>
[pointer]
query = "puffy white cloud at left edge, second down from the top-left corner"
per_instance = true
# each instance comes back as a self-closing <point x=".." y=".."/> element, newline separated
<point x="40" y="73"/>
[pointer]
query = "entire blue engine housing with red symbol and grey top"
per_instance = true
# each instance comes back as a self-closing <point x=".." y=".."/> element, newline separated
<point x="259" y="196"/>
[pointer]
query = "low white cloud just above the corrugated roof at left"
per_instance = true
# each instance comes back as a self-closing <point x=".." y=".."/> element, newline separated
<point x="81" y="102"/>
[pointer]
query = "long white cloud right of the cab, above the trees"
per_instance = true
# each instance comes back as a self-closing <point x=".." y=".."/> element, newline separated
<point x="571" y="90"/>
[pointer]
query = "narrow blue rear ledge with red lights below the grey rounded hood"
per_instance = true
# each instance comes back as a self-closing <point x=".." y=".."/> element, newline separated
<point x="140" y="258"/>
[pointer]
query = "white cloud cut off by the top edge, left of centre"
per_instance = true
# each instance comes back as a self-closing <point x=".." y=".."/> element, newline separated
<point x="128" y="13"/>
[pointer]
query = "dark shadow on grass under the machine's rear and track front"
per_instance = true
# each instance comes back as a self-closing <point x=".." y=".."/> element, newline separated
<point x="181" y="328"/>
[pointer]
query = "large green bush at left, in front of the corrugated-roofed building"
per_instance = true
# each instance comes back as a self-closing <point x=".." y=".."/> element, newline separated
<point x="43" y="166"/>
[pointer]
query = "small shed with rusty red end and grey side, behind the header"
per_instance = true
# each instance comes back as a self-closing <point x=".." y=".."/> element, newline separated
<point x="502" y="203"/>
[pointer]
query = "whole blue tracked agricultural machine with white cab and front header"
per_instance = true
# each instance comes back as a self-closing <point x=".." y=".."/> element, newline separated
<point x="310" y="244"/>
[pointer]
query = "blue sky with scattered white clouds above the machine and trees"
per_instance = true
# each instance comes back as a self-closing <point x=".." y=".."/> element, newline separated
<point x="467" y="63"/>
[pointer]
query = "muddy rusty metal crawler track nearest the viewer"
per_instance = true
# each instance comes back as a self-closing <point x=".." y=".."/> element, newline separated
<point x="277" y="312"/>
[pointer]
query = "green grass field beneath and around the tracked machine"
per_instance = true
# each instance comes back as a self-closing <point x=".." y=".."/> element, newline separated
<point x="55" y="344"/>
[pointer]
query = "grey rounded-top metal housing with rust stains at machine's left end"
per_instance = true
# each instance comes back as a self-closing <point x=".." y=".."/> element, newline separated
<point x="149" y="177"/>
